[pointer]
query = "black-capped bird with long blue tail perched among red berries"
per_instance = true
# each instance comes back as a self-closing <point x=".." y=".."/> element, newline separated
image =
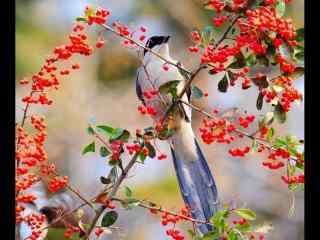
<point x="196" y="182"/>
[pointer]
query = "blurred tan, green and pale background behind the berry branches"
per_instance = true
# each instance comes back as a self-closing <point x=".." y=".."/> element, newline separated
<point x="104" y="90"/>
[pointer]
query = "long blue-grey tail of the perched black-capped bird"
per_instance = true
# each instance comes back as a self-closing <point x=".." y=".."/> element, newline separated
<point x="196" y="183"/>
